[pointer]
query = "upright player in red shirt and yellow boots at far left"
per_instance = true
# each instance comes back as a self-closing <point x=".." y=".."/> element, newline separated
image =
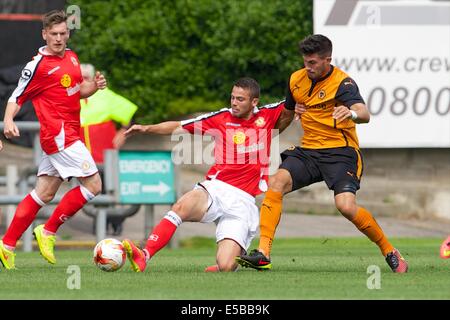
<point x="53" y="82"/>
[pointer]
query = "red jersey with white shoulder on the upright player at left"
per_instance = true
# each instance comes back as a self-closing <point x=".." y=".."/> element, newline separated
<point x="52" y="83"/>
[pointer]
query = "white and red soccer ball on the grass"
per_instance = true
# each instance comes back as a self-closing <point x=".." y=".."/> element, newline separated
<point x="109" y="255"/>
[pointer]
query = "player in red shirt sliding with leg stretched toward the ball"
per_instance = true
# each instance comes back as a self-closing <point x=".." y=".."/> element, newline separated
<point x="242" y="136"/>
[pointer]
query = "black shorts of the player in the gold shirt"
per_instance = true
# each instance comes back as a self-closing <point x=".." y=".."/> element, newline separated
<point x="340" y="168"/>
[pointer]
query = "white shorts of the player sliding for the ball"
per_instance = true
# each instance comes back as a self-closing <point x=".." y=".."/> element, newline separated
<point x="234" y="211"/>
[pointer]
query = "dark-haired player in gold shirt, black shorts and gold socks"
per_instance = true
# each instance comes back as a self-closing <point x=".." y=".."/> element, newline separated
<point x="329" y="105"/>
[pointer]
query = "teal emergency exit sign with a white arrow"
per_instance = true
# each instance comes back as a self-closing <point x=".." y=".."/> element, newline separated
<point x="146" y="177"/>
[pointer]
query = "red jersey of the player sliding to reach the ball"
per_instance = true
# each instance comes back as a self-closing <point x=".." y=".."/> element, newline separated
<point x="242" y="147"/>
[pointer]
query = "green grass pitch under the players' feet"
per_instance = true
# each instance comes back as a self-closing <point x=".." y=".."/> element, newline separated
<point x="319" y="268"/>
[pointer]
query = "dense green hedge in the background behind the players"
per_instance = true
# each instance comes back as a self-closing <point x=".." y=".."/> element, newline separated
<point x="179" y="56"/>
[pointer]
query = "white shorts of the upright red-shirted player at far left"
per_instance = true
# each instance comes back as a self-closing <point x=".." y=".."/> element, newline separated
<point x="74" y="161"/>
